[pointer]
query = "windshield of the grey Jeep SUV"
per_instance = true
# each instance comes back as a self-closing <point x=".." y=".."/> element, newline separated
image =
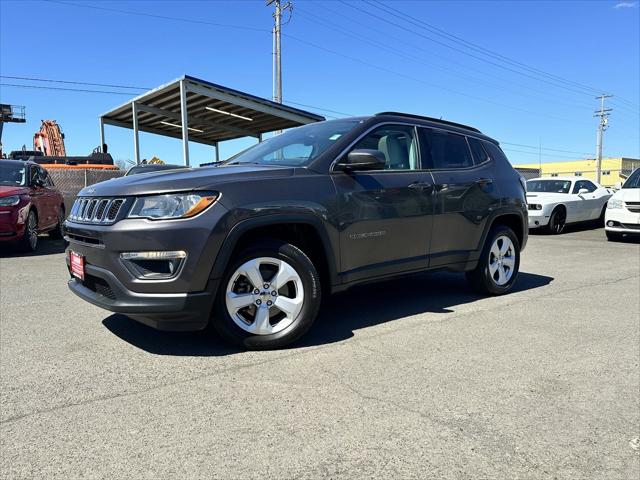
<point x="295" y="147"/>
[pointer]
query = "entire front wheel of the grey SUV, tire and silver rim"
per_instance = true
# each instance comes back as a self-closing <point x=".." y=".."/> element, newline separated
<point x="268" y="298"/>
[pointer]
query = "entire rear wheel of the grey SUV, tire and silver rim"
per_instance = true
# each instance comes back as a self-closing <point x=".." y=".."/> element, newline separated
<point x="499" y="262"/>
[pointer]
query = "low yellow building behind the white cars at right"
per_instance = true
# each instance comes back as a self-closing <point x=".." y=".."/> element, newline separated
<point x="614" y="170"/>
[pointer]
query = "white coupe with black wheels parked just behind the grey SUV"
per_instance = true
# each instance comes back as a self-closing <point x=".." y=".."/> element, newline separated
<point x="556" y="201"/>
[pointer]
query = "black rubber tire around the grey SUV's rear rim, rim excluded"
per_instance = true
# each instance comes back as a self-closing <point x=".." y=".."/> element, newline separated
<point x="481" y="279"/>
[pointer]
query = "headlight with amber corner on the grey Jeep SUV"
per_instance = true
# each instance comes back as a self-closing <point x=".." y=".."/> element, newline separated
<point x="172" y="206"/>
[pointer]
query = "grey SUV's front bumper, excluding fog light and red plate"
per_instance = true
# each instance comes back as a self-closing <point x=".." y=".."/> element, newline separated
<point x="183" y="302"/>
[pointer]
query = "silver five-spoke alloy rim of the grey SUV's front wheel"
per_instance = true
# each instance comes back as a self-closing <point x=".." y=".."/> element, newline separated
<point x="264" y="296"/>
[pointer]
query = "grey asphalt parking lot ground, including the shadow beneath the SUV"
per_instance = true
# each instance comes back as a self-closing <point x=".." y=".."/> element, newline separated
<point x="414" y="378"/>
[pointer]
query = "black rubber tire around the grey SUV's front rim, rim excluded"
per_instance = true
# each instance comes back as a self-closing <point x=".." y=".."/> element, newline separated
<point x="229" y="331"/>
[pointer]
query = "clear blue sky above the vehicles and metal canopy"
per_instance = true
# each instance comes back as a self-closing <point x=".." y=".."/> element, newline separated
<point x="352" y="58"/>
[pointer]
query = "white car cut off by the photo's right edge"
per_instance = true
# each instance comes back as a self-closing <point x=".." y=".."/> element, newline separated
<point x="623" y="210"/>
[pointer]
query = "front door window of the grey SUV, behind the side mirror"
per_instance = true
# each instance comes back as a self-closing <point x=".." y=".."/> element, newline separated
<point x="396" y="142"/>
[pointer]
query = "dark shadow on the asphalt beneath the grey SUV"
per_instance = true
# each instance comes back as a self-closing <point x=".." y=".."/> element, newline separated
<point x="341" y="315"/>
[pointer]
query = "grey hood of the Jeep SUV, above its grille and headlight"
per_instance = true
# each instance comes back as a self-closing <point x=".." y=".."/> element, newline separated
<point x="182" y="180"/>
